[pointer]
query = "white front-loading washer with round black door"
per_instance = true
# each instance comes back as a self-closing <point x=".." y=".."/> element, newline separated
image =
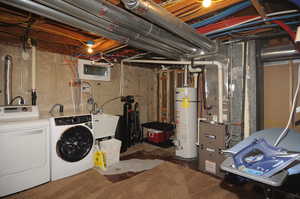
<point x="72" y="143"/>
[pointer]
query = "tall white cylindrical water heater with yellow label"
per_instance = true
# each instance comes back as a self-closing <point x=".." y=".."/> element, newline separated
<point x="186" y="122"/>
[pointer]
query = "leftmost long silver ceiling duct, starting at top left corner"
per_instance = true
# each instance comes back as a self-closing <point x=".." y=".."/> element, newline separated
<point x="55" y="15"/>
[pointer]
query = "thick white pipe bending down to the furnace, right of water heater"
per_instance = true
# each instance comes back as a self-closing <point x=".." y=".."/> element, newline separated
<point x="220" y="81"/>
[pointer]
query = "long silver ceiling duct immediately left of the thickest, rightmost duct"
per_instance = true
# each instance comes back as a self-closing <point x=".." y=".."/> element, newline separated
<point x="136" y="24"/>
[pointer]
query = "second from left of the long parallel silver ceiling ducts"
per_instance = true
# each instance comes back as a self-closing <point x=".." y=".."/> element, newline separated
<point x="107" y="25"/>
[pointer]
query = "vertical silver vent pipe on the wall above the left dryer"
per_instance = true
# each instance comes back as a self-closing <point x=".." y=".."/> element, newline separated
<point x="7" y="79"/>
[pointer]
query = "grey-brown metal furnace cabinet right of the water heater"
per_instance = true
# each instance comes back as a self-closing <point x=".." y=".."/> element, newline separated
<point x="212" y="140"/>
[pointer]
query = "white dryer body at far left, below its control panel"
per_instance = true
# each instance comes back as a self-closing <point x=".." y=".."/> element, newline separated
<point x="24" y="154"/>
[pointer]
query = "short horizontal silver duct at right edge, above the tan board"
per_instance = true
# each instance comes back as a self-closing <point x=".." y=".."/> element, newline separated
<point x="279" y="53"/>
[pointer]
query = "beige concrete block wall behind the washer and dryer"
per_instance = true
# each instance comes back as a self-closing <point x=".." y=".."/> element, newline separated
<point x="53" y="76"/>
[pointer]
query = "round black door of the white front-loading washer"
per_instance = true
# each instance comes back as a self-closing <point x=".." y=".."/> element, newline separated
<point x="74" y="144"/>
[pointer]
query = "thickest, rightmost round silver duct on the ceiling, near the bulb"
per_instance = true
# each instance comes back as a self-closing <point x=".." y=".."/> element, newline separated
<point x="160" y="16"/>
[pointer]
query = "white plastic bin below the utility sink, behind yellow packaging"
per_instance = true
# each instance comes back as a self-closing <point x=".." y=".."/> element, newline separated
<point x="111" y="149"/>
